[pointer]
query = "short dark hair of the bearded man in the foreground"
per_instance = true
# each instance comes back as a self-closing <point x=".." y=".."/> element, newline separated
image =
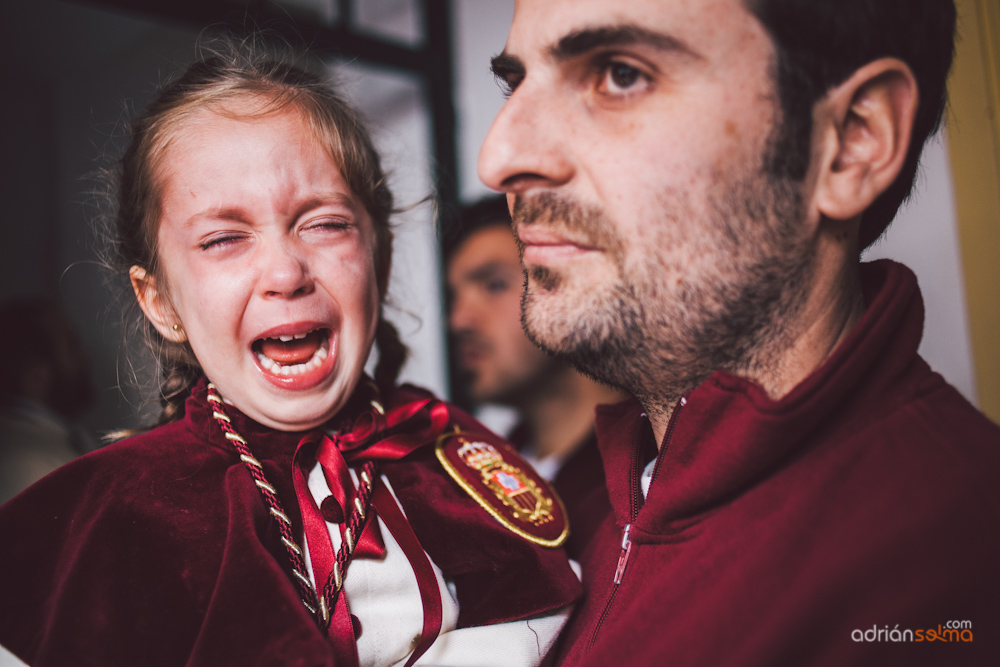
<point x="820" y="43"/>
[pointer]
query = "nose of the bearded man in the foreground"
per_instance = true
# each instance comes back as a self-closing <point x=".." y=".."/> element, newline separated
<point x="526" y="146"/>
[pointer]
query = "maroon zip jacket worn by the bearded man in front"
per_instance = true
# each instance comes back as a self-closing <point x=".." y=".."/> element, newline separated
<point x="860" y="509"/>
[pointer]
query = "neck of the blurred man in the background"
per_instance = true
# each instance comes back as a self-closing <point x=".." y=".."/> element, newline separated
<point x="560" y="416"/>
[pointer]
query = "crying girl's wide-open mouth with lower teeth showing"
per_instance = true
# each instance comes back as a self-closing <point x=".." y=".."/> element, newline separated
<point x="294" y="359"/>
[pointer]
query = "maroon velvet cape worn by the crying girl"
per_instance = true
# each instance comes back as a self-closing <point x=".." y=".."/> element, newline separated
<point x="158" y="550"/>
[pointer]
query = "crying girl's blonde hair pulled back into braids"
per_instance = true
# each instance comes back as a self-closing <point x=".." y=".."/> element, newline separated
<point x="229" y="71"/>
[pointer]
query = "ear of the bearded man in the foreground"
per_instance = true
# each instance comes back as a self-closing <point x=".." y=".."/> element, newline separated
<point x="862" y="132"/>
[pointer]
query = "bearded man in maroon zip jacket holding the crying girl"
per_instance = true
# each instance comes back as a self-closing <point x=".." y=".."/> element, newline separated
<point x="691" y="185"/>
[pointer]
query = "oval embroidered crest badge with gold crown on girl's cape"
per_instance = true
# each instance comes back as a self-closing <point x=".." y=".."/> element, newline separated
<point x="506" y="486"/>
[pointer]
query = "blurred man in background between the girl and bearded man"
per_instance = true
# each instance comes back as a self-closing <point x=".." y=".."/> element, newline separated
<point x="498" y="364"/>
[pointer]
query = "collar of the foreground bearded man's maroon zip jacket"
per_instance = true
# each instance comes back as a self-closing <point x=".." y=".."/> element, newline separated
<point x="729" y="434"/>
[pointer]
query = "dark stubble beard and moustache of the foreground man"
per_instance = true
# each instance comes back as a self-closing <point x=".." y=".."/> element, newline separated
<point x="657" y="331"/>
